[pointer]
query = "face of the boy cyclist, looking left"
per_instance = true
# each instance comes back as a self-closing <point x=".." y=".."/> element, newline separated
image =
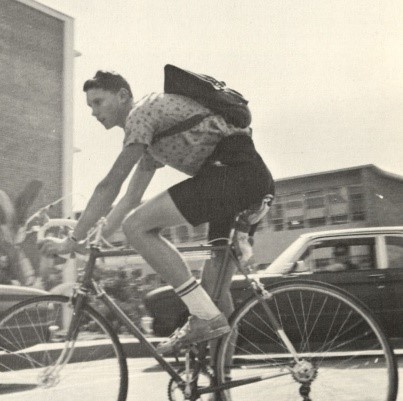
<point x="106" y="106"/>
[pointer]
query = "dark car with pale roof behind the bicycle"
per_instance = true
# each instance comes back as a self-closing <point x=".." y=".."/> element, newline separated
<point x="367" y="262"/>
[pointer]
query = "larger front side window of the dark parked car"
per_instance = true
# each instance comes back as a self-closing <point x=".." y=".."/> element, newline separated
<point x="339" y="255"/>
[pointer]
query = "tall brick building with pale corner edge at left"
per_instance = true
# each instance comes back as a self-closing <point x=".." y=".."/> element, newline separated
<point x="36" y="98"/>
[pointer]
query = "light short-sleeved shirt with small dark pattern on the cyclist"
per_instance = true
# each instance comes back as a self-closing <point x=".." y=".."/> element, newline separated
<point x="185" y="151"/>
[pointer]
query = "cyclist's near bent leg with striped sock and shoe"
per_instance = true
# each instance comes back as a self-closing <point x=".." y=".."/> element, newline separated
<point x="143" y="230"/>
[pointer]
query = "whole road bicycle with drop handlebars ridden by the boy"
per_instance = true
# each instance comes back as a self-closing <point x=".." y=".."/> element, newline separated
<point x="313" y="340"/>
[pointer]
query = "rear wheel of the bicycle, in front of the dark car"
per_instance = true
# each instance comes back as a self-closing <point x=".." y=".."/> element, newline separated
<point x="336" y="349"/>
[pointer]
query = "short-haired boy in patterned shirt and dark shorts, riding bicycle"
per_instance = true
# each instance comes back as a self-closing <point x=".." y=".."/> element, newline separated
<point x="227" y="176"/>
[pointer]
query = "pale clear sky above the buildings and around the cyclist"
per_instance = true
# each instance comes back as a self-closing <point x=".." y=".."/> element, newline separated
<point x="324" y="78"/>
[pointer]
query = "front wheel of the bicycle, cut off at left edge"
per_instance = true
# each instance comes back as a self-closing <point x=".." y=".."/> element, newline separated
<point x="37" y="363"/>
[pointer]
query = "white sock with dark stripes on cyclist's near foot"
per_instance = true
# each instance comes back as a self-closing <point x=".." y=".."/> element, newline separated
<point x="197" y="300"/>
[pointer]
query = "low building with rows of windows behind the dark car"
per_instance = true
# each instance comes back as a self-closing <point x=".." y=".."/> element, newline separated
<point x="361" y="196"/>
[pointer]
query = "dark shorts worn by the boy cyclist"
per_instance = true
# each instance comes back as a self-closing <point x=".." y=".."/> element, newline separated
<point x="233" y="178"/>
